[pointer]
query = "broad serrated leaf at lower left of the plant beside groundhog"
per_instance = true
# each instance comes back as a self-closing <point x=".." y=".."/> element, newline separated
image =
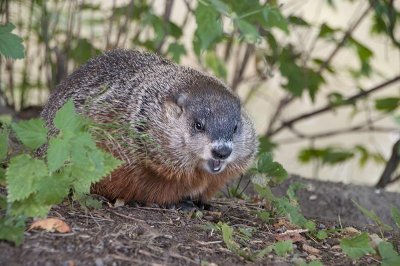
<point x="22" y="175"/>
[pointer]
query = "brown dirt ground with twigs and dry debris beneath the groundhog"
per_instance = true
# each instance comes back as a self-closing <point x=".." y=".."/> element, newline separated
<point x="129" y="235"/>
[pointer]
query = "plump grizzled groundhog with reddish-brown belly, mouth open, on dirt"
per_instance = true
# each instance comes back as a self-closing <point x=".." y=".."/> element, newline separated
<point x="181" y="133"/>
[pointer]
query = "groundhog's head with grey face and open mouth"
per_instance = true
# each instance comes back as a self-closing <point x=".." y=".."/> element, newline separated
<point x="208" y="129"/>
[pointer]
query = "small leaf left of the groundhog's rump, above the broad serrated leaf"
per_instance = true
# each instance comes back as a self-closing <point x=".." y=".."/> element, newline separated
<point x="32" y="133"/>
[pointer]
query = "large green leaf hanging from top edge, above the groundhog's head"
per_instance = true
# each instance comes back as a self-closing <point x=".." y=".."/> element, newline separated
<point x="209" y="27"/>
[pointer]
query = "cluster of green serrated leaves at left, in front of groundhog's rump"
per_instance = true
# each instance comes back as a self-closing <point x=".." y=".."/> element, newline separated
<point x="73" y="163"/>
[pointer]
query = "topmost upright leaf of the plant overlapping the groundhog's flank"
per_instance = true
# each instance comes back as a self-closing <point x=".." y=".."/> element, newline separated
<point x="66" y="118"/>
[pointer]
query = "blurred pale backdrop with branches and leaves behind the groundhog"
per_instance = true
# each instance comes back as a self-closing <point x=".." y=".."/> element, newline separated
<point x="321" y="79"/>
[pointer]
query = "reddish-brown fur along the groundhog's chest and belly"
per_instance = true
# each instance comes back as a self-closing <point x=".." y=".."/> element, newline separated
<point x="144" y="185"/>
